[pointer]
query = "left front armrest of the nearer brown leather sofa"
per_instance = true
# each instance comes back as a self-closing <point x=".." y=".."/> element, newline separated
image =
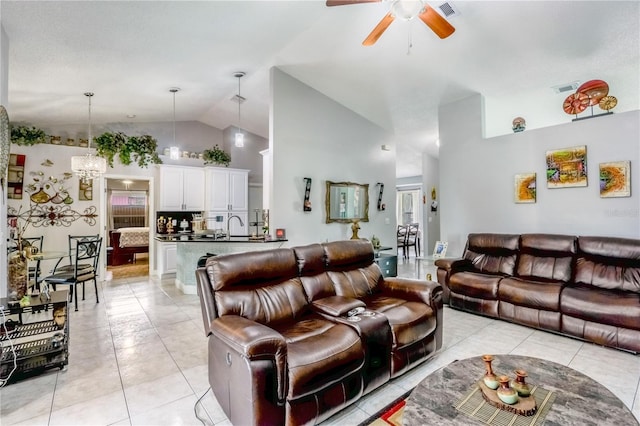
<point x="254" y="341"/>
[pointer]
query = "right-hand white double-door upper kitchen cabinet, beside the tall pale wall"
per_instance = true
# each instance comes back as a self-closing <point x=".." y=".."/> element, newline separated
<point x="226" y="189"/>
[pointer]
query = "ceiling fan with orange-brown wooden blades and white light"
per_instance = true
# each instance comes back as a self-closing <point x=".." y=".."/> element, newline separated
<point x="404" y="9"/>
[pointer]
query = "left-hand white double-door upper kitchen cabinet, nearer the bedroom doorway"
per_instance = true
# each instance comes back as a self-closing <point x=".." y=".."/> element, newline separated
<point x="181" y="188"/>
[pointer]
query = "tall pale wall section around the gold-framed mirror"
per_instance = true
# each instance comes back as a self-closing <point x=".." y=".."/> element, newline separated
<point x="314" y="136"/>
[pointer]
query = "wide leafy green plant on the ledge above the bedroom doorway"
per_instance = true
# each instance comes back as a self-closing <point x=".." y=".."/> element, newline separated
<point x="138" y="149"/>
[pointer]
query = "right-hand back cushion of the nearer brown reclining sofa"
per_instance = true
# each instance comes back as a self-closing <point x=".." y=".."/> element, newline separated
<point x="351" y="268"/>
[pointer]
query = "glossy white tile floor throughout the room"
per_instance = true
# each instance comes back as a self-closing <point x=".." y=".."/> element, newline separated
<point x="139" y="358"/>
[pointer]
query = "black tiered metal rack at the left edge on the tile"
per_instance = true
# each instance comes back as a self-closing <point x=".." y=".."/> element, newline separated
<point x="39" y="336"/>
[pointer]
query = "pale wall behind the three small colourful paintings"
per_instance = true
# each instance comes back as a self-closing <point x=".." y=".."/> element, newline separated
<point x="476" y="177"/>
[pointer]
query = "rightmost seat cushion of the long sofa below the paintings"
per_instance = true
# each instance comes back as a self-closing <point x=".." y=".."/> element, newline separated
<point x="617" y="308"/>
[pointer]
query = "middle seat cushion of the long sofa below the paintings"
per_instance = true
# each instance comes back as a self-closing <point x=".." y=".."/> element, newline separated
<point x="536" y="294"/>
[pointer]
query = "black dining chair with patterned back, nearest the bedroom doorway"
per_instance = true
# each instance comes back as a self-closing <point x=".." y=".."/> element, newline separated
<point x="86" y="252"/>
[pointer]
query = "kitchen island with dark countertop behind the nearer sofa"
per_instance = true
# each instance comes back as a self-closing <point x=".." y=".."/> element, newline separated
<point x="190" y="247"/>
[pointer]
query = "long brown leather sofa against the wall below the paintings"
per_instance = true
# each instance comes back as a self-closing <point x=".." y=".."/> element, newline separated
<point x="584" y="287"/>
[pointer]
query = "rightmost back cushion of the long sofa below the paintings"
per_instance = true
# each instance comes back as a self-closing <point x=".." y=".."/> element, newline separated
<point x="608" y="262"/>
